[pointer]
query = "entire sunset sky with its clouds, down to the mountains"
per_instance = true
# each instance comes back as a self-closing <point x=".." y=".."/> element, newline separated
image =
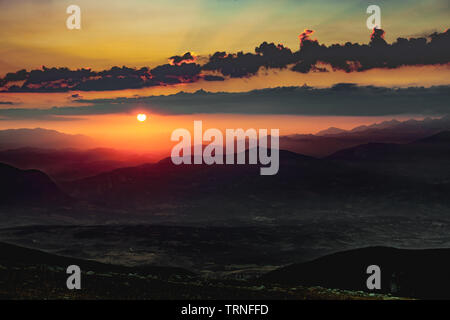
<point x="146" y="34"/>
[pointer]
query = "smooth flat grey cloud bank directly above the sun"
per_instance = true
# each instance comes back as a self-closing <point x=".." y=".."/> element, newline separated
<point x="341" y="100"/>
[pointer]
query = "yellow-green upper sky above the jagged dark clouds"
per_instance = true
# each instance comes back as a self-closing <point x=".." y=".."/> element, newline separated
<point x="142" y="32"/>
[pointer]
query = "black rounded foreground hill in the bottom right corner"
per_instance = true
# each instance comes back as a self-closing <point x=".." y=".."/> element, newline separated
<point x="412" y="273"/>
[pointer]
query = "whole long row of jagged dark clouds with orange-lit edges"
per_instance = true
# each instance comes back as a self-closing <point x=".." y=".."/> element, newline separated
<point x="311" y="57"/>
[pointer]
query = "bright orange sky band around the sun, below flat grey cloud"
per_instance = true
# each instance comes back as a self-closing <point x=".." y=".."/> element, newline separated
<point x="121" y="131"/>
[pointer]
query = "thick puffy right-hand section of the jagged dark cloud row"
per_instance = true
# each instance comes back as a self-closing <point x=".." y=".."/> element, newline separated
<point x="349" y="57"/>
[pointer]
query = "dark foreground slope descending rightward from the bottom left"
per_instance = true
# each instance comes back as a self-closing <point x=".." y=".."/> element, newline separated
<point x="31" y="274"/>
